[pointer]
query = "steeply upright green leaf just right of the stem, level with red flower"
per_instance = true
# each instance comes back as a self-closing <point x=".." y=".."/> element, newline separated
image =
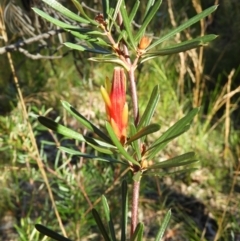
<point x="150" y="108"/>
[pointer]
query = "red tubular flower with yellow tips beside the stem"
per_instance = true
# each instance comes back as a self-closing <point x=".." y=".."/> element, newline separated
<point x="115" y="100"/>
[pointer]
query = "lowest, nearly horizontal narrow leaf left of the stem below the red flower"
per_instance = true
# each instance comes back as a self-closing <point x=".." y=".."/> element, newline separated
<point x="89" y="156"/>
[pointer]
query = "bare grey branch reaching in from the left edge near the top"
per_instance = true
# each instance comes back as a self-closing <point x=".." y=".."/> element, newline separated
<point x="17" y="46"/>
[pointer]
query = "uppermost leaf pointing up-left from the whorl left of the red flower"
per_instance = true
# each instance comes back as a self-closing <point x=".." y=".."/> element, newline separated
<point x="85" y="122"/>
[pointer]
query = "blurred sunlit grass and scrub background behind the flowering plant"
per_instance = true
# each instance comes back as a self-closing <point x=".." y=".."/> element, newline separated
<point x="205" y="203"/>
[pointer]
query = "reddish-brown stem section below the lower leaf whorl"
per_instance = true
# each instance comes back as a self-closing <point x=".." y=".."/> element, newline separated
<point x="135" y="199"/>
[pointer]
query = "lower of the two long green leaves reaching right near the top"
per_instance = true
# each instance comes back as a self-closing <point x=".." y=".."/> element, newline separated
<point x="181" y="47"/>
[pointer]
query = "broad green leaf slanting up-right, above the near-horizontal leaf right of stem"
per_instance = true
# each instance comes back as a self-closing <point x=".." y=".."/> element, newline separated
<point x="178" y="128"/>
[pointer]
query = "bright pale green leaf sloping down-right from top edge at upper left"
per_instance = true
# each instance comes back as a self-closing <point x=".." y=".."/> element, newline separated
<point x="66" y="12"/>
